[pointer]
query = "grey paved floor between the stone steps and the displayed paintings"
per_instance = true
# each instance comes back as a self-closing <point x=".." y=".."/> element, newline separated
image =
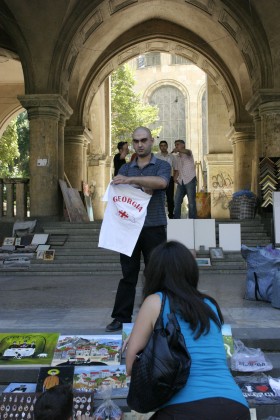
<point x="83" y="305"/>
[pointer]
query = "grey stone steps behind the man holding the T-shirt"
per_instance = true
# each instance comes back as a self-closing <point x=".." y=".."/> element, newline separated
<point x="80" y="253"/>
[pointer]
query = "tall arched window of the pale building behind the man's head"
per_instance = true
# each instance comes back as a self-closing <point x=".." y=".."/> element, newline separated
<point x="172" y="113"/>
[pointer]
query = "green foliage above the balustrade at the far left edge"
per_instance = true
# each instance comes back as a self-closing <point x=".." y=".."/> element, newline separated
<point x="14" y="148"/>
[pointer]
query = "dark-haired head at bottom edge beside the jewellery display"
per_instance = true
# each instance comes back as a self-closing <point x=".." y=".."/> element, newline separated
<point x="55" y="404"/>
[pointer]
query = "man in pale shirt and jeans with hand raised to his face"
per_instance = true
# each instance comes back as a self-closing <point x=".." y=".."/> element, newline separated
<point x="185" y="178"/>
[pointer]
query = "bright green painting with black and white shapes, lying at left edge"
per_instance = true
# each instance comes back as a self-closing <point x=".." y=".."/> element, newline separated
<point x="27" y="348"/>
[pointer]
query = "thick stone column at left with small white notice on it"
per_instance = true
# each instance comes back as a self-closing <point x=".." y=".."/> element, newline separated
<point x="44" y="113"/>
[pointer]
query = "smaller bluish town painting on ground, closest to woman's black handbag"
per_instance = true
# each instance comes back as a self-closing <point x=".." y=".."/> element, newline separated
<point x="100" y="379"/>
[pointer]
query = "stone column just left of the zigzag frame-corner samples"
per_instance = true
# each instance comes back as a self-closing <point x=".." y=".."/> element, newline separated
<point x="242" y="137"/>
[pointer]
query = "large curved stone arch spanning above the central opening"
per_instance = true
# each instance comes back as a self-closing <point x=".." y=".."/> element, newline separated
<point x="216" y="37"/>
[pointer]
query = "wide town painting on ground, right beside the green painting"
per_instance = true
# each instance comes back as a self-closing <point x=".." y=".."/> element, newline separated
<point x="88" y="350"/>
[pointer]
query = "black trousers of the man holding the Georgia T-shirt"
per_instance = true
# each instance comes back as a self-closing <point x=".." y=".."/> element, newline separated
<point x="149" y="238"/>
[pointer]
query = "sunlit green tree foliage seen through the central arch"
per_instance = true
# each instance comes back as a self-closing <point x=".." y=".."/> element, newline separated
<point x="128" y="109"/>
